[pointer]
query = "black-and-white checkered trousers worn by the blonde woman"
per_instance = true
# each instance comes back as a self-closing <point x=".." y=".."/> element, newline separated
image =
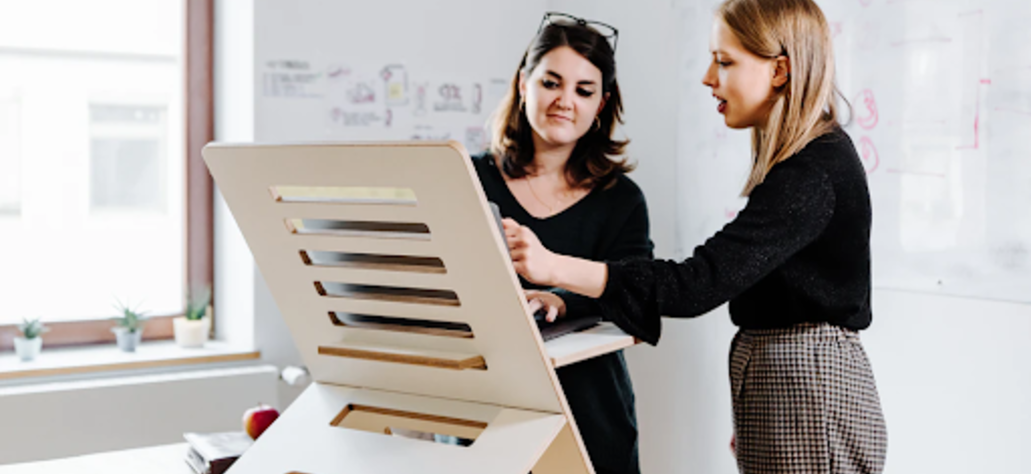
<point x="806" y="402"/>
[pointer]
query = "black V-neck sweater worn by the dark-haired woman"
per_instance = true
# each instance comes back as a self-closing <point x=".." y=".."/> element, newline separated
<point x="608" y="224"/>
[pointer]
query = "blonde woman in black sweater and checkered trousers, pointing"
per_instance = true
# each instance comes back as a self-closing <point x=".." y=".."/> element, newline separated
<point x="794" y="265"/>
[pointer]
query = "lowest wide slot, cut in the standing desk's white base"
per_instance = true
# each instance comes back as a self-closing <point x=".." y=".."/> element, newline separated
<point x="408" y="424"/>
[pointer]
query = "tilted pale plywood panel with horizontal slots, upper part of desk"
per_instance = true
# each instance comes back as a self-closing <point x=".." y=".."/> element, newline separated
<point x="463" y="235"/>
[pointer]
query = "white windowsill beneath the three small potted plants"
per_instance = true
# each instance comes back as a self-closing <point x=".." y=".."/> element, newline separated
<point x="109" y="358"/>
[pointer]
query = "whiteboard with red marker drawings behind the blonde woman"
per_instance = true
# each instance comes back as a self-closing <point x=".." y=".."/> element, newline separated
<point x="941" y="95"/>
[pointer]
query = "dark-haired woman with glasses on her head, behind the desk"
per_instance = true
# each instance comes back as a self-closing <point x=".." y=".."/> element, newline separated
<point x="552" y="168"/>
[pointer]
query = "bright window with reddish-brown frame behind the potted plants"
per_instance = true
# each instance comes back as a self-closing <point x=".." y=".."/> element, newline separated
<point x="97" y="154"/>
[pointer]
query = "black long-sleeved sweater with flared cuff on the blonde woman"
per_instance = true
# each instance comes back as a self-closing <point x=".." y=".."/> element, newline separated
<point x="799" y="252"/>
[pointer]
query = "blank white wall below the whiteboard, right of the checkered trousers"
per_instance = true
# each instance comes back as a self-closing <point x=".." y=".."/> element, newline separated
<point x="954" y="381"/>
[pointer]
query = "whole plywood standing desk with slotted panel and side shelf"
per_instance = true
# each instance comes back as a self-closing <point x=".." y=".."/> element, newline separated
<point x="397" y="289"/>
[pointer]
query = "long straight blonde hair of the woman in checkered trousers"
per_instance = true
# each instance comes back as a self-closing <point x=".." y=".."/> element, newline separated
<point x="804" y="109"/>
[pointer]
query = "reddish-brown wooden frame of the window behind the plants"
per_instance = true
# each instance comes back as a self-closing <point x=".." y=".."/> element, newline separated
<point x="198" y="225"/>
